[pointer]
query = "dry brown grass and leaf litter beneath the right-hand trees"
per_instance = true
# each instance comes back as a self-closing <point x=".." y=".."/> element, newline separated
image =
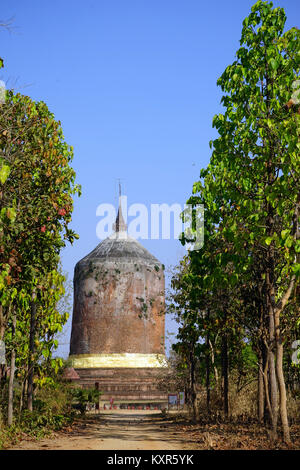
<point x="241" y="430"/>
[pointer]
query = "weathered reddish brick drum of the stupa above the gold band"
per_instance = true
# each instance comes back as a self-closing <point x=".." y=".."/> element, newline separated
<point x="118" y="301"/>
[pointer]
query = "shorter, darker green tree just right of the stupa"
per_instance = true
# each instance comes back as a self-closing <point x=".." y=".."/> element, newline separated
<point x="210" y="333"/>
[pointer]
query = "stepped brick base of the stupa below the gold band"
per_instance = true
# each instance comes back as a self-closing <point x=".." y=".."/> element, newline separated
<point x="139" y="386"/>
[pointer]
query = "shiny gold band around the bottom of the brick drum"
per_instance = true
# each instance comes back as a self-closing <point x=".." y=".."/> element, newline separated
<point x="130" y="360"/>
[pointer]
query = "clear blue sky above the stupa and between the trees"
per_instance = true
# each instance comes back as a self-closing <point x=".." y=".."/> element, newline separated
<point x="133" y="83"/>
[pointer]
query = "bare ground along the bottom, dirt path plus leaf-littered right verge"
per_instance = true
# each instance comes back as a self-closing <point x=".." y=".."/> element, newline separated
<point x="149" y="430"/>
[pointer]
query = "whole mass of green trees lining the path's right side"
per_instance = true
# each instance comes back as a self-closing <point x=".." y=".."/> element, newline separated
<point x="242" y="288"/>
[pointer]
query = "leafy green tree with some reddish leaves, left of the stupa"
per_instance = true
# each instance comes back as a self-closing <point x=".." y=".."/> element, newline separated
<point x="36" y="188"/>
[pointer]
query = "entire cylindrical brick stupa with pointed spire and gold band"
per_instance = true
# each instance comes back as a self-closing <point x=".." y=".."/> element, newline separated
<point x="118" y="325"/>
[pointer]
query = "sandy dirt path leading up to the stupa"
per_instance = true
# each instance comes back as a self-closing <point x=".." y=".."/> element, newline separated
<point x="116" y="430"/>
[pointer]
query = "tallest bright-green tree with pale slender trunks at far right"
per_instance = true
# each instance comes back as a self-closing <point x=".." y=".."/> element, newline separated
<point x="251" y="186"/>
